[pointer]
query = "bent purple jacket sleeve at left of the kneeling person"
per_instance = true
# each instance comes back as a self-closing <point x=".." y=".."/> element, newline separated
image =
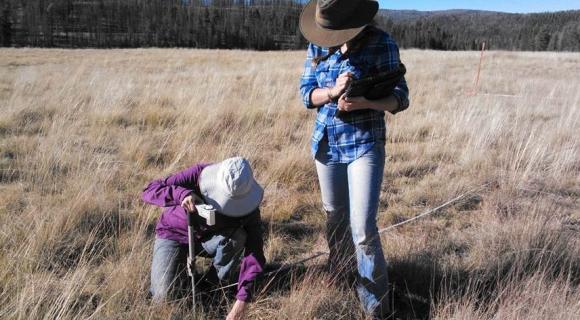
<point x="172" y="190"/>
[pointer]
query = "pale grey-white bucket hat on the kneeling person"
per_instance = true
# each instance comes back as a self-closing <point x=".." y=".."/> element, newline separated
<point x="229" y="186"/>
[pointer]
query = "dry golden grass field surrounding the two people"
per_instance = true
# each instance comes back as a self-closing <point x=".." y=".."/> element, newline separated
<point x="83" y="131"/>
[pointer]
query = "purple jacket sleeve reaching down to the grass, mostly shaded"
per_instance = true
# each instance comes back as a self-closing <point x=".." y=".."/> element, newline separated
<point x="252" y="264"/>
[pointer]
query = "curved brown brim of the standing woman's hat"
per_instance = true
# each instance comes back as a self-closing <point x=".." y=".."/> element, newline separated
<point x="329" y="38"/>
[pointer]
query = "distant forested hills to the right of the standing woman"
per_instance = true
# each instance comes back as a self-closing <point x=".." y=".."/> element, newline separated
<point x="465" y="31"/>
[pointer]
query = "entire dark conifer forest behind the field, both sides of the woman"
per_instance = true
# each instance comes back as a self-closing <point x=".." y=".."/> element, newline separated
<point x="263" y="25"/>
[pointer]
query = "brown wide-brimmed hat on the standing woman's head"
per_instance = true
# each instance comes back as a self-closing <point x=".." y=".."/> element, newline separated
<point x="330" y="23"/>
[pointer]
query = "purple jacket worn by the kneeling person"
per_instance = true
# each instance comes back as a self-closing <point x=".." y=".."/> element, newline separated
<point x="172" y="225"/>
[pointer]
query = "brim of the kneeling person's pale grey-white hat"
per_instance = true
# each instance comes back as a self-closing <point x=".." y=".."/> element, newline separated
<point x="224" y="204"/>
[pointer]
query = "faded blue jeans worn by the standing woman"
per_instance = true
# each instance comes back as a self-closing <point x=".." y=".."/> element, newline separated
<point x="350" y="196"/>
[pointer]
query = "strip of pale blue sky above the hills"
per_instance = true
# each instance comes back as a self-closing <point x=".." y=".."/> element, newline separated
<point x="520" y="6"/>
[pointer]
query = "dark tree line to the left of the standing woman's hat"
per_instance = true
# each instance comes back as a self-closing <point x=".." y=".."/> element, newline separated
<point x="247" y="24"/>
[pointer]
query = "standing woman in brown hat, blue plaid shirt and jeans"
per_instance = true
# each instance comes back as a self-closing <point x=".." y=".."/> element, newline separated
<point x="348" y="142"/>
